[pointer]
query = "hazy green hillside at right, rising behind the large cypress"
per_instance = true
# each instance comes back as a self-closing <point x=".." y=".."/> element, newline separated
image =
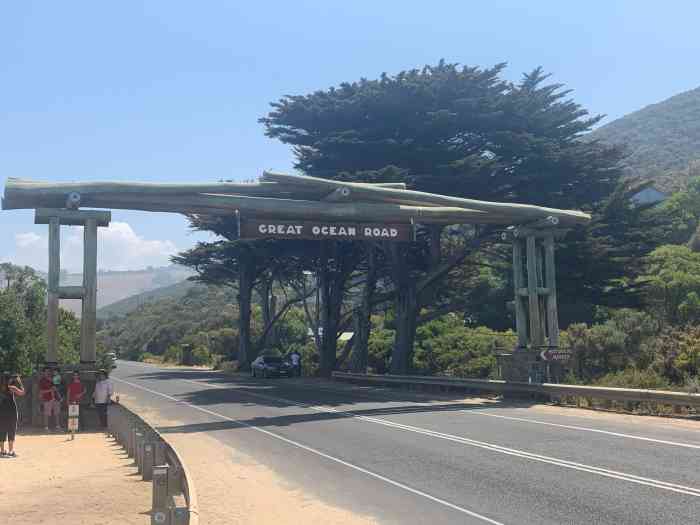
<point x="663" y="139"/>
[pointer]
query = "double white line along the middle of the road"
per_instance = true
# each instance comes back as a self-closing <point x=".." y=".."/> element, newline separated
<point x="600" y="471"/>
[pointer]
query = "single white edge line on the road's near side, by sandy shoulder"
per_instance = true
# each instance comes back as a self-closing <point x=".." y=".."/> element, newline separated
<point x="316" y="452"/>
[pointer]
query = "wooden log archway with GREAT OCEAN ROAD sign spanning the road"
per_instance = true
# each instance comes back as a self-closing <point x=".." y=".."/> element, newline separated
<point x="298" y="207"/>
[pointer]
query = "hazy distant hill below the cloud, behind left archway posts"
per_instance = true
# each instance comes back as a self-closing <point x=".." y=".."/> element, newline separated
<point x="115" y="286"/>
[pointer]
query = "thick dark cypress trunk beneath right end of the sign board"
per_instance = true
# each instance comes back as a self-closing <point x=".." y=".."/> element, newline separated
<point x="406" y="311"/>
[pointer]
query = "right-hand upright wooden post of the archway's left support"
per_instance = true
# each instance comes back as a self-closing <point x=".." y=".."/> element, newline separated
<point x="88" y="321"/>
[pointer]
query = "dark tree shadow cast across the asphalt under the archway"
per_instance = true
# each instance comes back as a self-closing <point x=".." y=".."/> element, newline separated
<point x="309" y="400"/>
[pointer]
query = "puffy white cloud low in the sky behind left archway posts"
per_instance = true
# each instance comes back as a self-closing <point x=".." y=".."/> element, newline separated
<point x="119" y="247"/>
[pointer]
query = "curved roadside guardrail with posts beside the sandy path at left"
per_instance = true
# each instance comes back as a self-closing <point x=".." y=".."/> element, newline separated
<point x="159" y="462"/>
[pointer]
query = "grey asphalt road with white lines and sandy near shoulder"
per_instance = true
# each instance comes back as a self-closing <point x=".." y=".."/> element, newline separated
<point x="406" y="459"/>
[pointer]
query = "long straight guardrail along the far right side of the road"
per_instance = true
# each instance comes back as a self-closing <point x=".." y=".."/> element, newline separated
<point x="554" y="391"/>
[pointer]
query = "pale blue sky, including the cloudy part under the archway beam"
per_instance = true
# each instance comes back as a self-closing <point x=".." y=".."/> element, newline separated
<point x="172" y="90"/>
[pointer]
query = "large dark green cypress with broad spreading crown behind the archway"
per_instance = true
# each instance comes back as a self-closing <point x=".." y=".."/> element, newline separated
<point x="454" y="130"/>
